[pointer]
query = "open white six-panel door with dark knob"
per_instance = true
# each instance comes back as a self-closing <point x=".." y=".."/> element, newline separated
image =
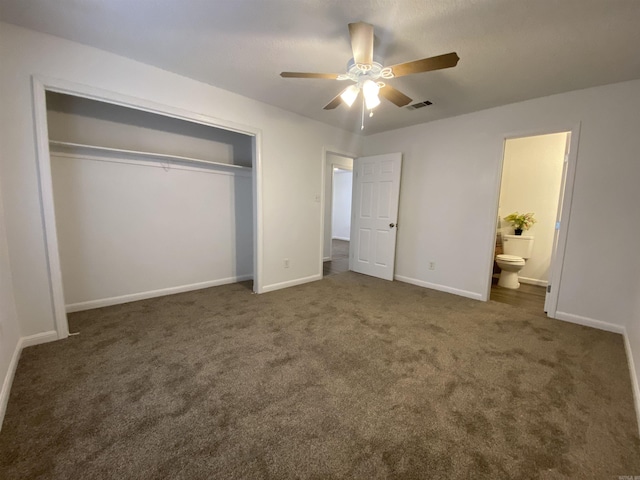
<point x="376" y="189"/>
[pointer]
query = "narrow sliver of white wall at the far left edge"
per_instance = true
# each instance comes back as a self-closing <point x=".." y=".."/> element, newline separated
<point x="9" y="328"/>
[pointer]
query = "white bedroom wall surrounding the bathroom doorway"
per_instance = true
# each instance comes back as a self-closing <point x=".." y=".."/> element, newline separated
<point x="450" y="182"/>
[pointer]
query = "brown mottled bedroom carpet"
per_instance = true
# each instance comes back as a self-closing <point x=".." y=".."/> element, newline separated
<point x="350" y="377"/>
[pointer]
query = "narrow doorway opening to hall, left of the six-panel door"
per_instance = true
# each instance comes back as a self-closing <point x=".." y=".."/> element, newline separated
<point x="337" y="224"/>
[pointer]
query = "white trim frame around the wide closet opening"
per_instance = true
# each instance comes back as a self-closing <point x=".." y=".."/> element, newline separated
<point x="41" y="85"/>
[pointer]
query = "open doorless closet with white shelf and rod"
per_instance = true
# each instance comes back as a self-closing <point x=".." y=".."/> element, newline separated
<point x="140" y="204"/>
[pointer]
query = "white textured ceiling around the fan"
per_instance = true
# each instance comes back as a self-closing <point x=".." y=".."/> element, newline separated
<point x="510" y="50"/>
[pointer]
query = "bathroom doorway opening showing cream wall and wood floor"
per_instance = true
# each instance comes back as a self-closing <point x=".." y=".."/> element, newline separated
<point x="534" y="174"/>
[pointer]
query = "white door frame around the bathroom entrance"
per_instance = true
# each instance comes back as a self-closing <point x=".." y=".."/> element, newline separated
<point x="567" y="195"/>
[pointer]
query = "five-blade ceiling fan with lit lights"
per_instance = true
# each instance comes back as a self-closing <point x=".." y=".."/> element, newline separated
<point x="366" y="73"/>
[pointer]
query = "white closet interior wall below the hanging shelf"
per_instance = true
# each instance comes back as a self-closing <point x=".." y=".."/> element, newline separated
<point x="131" y="229"/>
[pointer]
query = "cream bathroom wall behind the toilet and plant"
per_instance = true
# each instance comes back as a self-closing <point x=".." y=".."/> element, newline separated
<point x="531" y="180"/>
